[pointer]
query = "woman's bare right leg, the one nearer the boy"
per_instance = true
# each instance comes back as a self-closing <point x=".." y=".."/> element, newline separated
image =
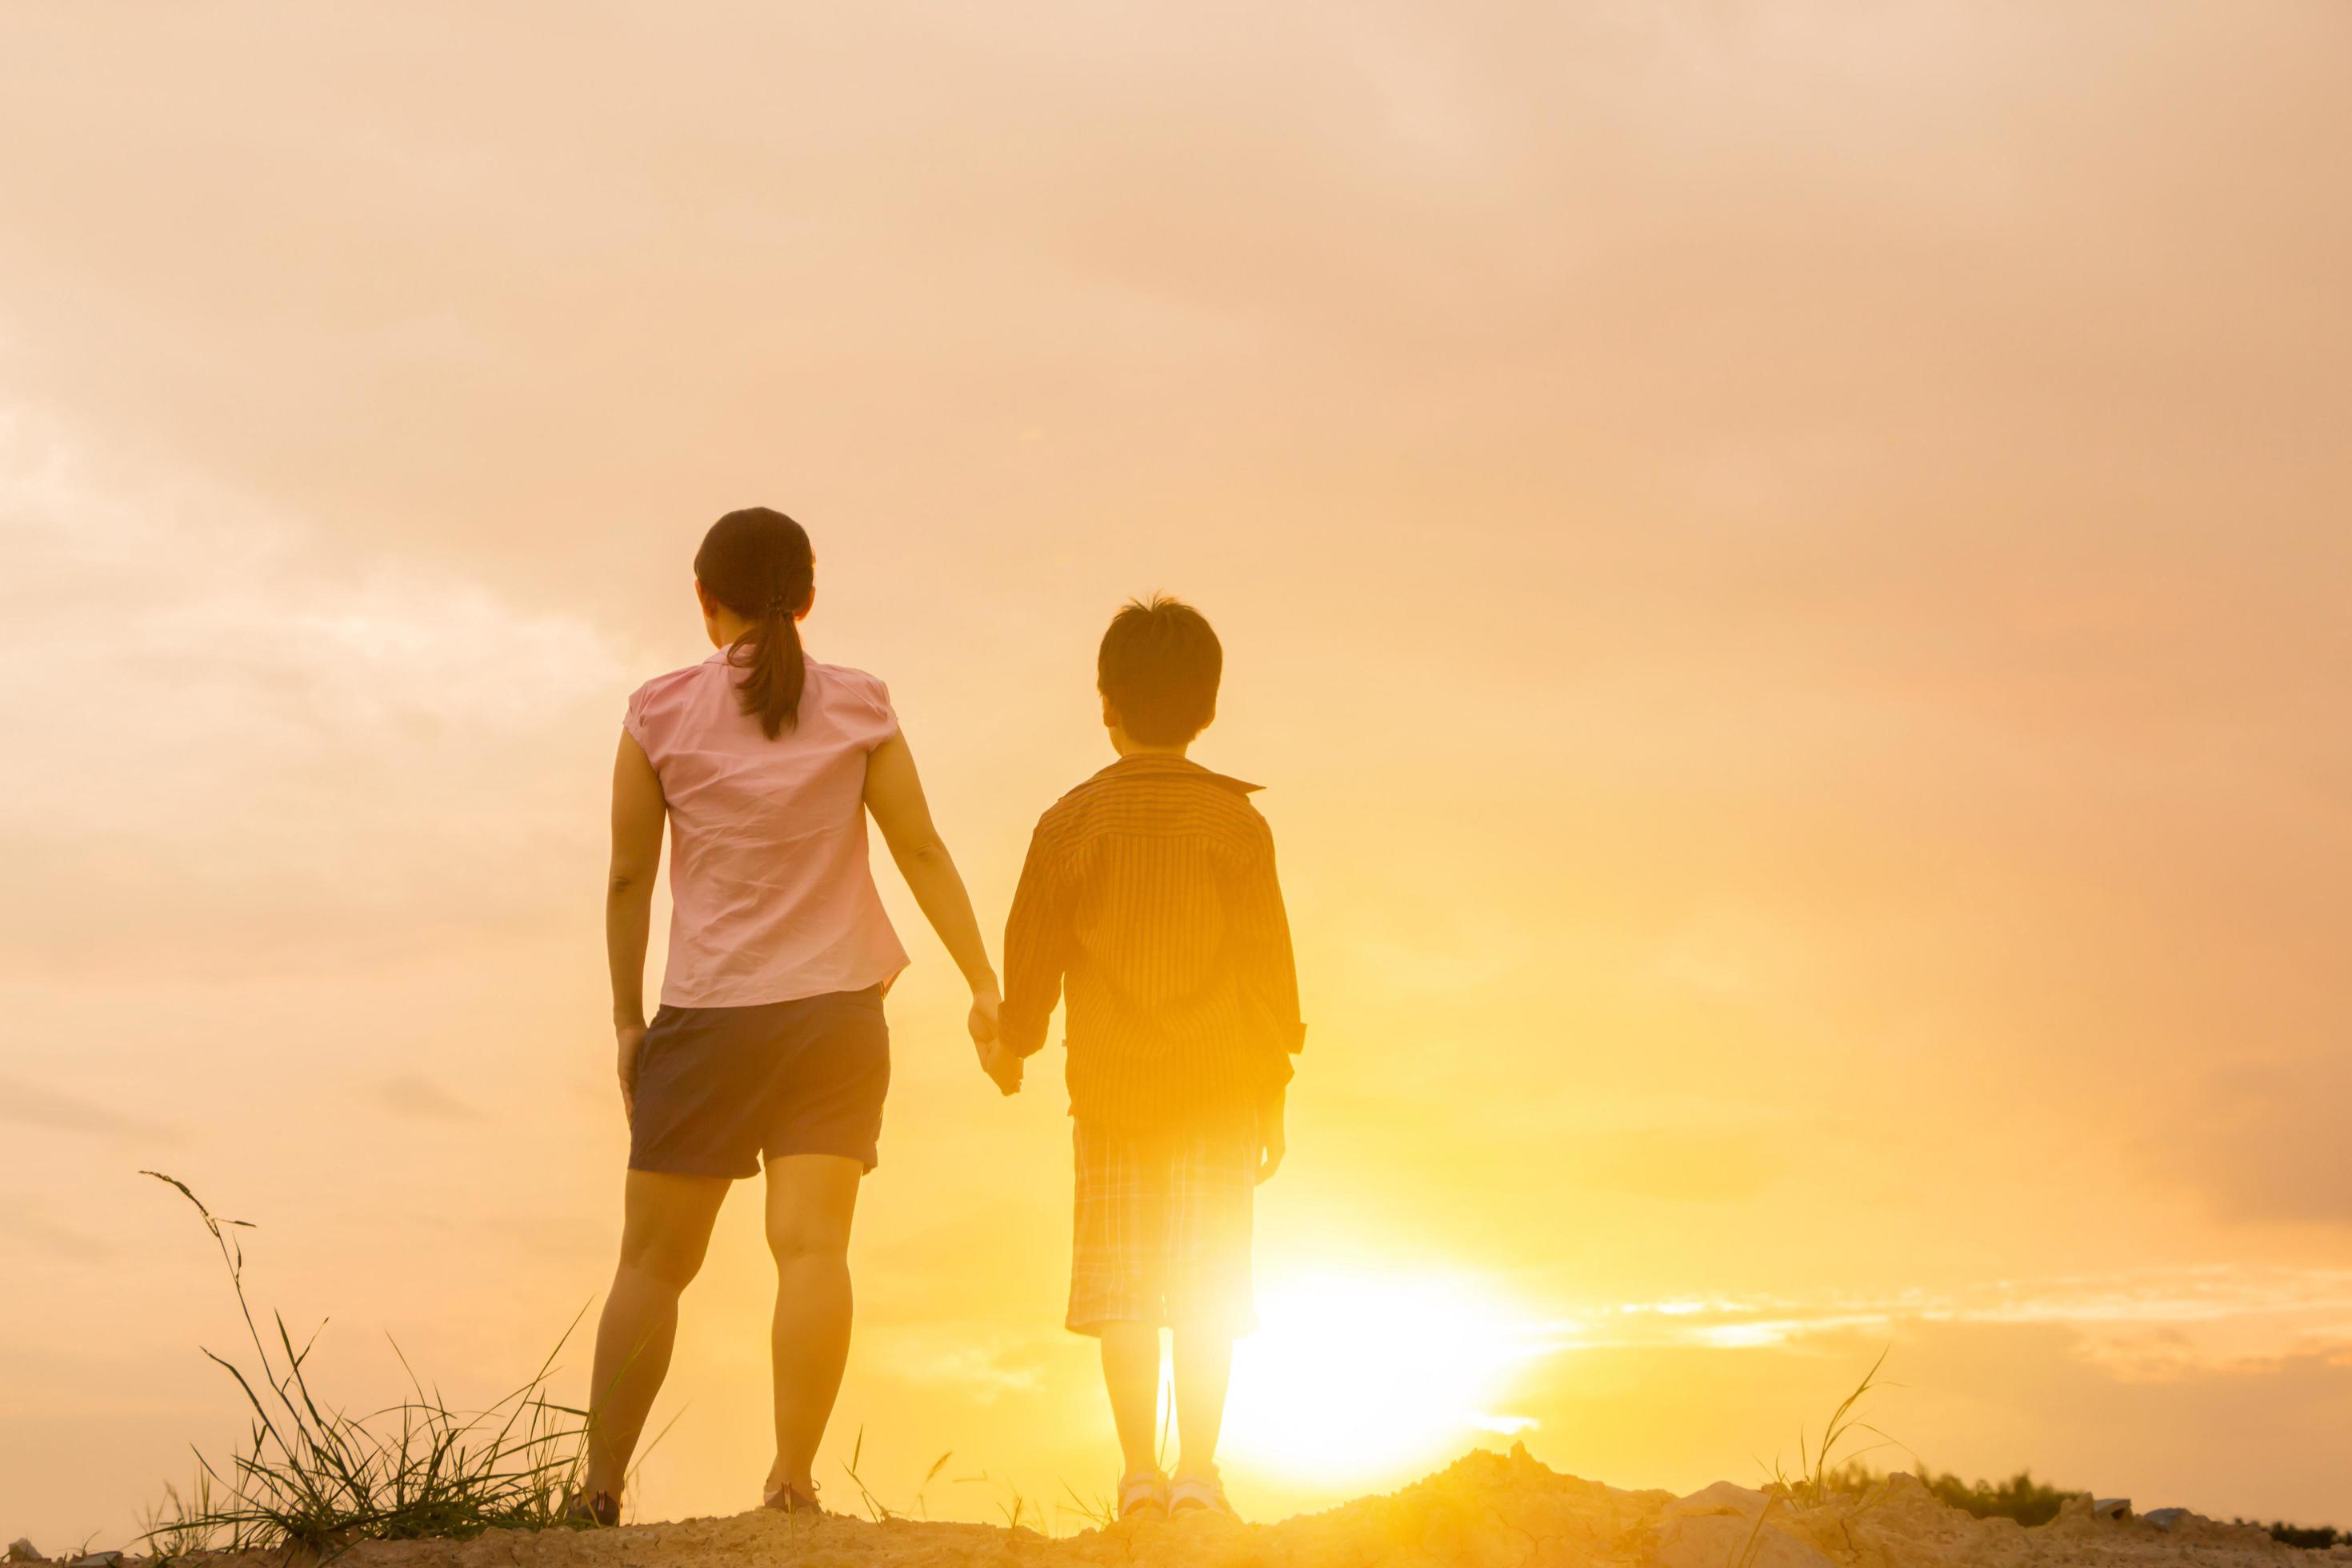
<point x="810" y="1202"/>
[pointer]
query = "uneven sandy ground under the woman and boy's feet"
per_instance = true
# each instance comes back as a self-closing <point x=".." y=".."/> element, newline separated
<point x="1483" y="1513"/>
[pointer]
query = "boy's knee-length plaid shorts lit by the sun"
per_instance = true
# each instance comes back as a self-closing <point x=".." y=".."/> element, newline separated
<point x="1163" y="1228"/>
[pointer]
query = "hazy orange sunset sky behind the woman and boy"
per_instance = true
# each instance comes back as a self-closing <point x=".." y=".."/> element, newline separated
<point x="1784" y="568"/>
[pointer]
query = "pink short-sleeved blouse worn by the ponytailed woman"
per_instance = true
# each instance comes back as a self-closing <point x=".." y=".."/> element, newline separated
<point x="770" y="890"/>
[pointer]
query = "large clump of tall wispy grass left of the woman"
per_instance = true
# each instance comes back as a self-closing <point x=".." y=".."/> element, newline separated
<point x="323" y="1480"/>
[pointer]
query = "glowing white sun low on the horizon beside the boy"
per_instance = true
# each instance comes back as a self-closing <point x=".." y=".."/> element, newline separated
<point x="1361" y="1379"/>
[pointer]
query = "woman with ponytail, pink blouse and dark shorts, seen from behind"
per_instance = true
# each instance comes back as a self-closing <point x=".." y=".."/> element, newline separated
<point x="770" y="1040"/>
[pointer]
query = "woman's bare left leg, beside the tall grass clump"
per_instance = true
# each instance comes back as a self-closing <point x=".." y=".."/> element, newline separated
<point x="664" y="1235"/>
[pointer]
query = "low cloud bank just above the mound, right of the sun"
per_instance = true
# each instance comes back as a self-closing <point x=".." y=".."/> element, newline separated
<point x="1977" y="1398"/>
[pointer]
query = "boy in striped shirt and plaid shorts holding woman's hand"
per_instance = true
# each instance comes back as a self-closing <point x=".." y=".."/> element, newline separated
<point x="1151" y="897"/>
